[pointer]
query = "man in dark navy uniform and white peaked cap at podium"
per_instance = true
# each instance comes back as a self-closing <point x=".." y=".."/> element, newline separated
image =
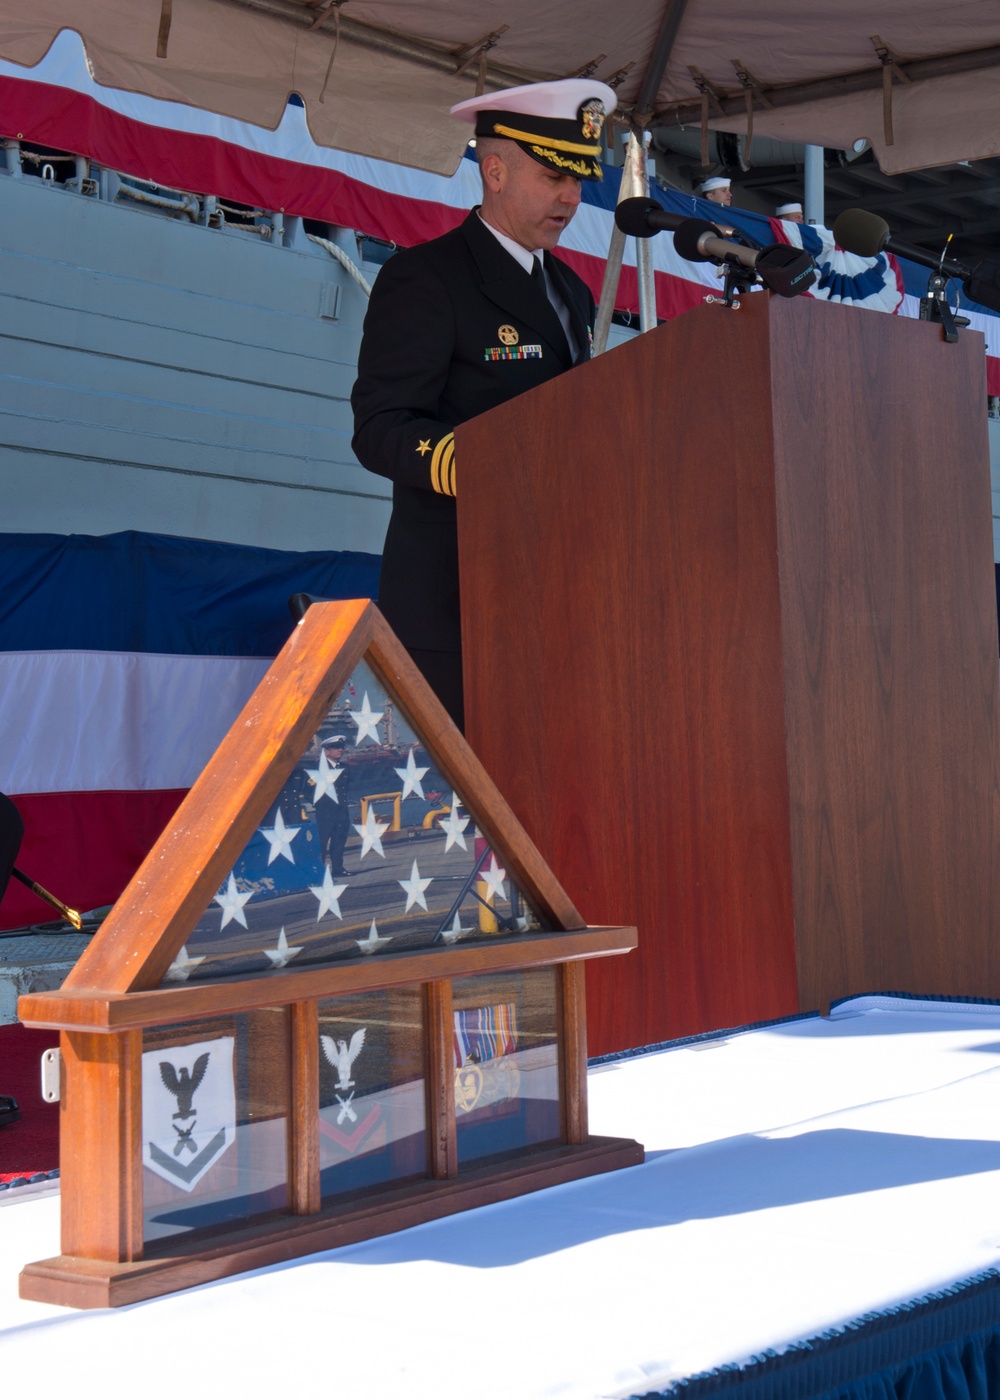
<point x="463" y="324"/>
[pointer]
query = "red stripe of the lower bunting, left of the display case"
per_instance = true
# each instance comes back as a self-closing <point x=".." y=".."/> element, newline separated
<point x="83" y="848"/>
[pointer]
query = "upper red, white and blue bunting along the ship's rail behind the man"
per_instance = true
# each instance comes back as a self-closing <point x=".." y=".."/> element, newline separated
<point x="60" y="104"/>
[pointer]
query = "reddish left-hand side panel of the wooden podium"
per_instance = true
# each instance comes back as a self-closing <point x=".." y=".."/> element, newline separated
<point x="624" y="664"/>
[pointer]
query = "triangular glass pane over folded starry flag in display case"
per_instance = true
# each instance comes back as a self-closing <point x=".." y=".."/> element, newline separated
<point x="368" y="852"/>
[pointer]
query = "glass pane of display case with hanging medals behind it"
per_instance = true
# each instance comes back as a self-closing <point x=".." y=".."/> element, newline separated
<point x="508" y="1095"/>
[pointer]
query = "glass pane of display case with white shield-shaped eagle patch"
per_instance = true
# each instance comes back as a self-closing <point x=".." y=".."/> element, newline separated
<point x="215" y="1126"/>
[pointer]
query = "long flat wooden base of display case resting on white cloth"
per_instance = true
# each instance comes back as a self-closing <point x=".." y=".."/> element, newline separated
<point x="90" y="1283"/>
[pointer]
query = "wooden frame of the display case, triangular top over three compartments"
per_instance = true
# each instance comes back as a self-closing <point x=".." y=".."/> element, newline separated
<point x="117" y="989"/>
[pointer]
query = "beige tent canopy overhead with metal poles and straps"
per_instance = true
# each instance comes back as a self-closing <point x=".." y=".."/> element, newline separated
<point x="915" y="78"/>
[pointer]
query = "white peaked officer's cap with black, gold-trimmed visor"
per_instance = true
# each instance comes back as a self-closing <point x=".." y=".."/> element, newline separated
<point x="557" y="124"/>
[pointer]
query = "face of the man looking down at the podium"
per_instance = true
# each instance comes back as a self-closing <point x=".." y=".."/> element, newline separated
<point x="527" y="201"/>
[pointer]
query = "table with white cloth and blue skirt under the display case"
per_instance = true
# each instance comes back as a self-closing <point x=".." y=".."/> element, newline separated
<point x="830" y="1179"/>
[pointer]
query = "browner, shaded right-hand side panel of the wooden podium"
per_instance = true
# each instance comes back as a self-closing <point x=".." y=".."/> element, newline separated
<point x="890" y="640"/>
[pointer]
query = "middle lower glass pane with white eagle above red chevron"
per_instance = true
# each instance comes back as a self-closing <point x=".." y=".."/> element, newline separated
<point x="373" y="1116"/>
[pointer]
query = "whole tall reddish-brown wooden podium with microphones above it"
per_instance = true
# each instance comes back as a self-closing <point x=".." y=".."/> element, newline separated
<point x="732" y="654"/>
